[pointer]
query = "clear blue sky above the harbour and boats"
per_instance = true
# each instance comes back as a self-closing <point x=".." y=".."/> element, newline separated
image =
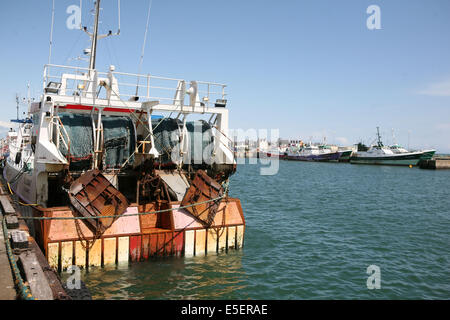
<point x="309" y="68"/>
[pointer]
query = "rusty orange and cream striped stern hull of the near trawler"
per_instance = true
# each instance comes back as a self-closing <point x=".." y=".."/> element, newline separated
<point x="134" y="237"/>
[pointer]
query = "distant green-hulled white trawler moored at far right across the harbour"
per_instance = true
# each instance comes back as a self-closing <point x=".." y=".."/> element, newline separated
<point x="384" y="155"/>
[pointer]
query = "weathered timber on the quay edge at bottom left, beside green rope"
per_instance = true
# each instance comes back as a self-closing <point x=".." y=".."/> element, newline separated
<point x="37" y="281"/>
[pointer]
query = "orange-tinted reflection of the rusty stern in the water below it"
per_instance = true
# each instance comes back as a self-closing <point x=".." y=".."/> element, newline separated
<point x="205" y="277"/>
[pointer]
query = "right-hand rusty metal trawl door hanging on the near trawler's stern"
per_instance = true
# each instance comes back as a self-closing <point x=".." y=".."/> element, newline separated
<point x="203" y="188"/>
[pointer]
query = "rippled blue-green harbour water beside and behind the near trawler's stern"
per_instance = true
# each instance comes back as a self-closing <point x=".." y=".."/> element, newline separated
<point x="312" y="230"/>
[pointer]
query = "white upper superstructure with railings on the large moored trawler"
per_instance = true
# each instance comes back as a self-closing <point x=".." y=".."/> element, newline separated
<point x="48" y="144"/>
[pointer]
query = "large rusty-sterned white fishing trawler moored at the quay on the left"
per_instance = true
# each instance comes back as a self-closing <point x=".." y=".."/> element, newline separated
<point x="123" y="152"/>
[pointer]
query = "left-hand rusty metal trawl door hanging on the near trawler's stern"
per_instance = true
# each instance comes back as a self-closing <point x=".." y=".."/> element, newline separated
<point x="93" y="195"/>
